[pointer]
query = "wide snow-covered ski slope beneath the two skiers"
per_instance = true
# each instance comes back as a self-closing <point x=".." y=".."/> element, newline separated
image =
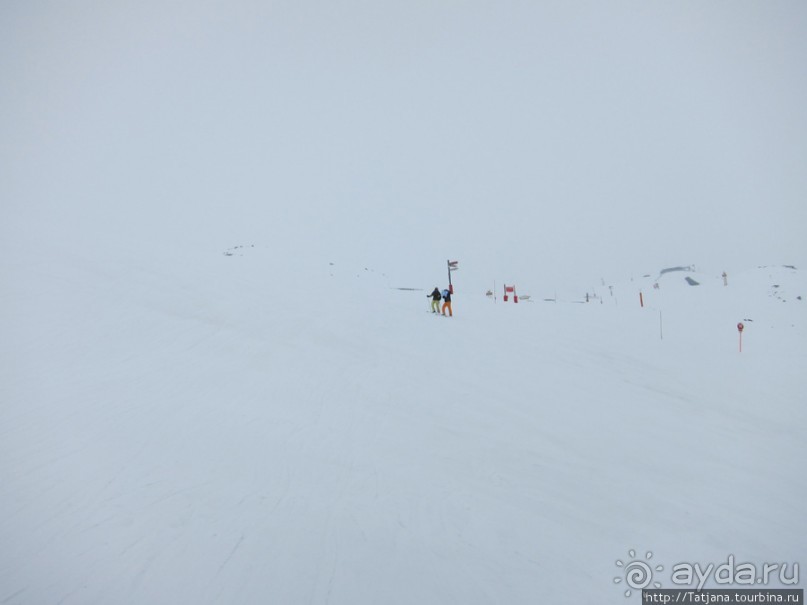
<point x="215" y="425"/>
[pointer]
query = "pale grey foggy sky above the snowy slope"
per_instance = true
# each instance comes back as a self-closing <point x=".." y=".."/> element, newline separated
<point x="531" y="140"/>
